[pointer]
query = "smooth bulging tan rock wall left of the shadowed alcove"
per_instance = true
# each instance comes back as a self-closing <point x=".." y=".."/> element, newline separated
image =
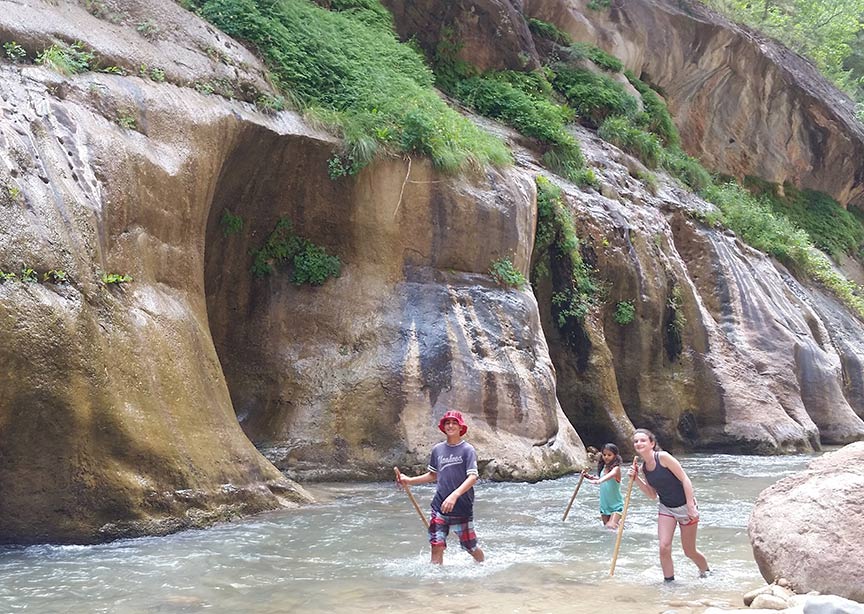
<point x="116" y="419"/>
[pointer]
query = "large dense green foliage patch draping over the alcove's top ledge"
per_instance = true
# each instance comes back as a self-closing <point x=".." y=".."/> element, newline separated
<point x="375" y="89"/>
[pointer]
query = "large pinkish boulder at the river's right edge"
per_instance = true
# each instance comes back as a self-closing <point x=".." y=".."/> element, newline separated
<point x="809" y="528"/>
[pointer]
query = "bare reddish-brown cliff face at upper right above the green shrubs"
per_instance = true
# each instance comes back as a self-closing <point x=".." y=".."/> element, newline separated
<point x="744" y="105"/>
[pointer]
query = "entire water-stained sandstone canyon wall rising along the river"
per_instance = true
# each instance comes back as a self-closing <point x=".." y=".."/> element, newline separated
<point x="119" y="404"/>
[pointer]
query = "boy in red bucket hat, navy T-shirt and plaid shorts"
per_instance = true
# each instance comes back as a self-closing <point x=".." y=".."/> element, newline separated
<point x="453" y="465"/>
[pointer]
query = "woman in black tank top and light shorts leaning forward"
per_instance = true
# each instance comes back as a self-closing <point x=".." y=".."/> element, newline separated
<point x="664" y="478"/>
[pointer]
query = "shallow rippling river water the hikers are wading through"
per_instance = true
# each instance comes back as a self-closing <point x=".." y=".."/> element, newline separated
<point x="362" y="548"/>
